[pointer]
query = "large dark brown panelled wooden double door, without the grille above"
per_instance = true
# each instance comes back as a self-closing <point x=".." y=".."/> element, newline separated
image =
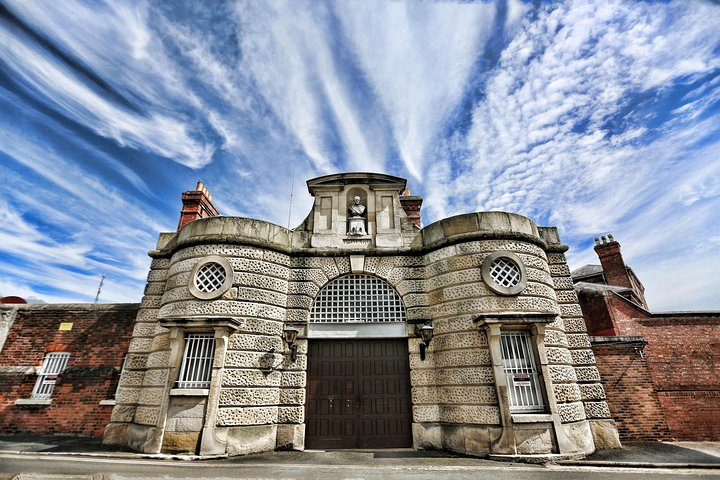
<point x="358" y="394"/>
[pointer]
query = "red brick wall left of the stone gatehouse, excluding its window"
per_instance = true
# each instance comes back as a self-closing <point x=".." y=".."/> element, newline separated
<point x="97" y="344"/>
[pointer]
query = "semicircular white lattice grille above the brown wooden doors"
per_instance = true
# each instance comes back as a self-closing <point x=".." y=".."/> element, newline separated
<point x="355" y="299"/>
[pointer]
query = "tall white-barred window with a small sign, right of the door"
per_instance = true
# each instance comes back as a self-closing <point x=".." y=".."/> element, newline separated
<point x="521" y="372"/>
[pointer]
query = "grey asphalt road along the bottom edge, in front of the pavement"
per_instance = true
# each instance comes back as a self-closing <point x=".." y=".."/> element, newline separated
<point x="61" y="467"/>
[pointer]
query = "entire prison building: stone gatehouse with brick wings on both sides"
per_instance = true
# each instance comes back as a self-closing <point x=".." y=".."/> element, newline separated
<point x="360" y="328"/>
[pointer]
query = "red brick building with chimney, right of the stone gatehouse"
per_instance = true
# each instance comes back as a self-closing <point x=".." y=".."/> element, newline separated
<point x="660" y="370"/>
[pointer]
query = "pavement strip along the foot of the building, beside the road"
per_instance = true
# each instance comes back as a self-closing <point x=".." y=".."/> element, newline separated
<point x="678" y="455"/>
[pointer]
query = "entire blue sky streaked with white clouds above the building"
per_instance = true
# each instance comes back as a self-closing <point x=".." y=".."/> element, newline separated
<point x="593" y="116"/>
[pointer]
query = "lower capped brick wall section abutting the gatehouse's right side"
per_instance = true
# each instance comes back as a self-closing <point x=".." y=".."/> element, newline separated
<point x="630" y="390"/>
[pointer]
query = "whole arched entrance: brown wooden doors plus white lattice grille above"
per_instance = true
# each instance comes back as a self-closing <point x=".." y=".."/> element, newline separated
<point x="358" y="391"/>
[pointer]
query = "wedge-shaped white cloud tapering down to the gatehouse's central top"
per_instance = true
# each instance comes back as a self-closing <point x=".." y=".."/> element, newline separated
<point x="418" y="58"/>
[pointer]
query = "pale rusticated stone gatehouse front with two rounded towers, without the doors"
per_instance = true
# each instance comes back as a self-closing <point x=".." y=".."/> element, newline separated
<point x="268" y="278"/>
